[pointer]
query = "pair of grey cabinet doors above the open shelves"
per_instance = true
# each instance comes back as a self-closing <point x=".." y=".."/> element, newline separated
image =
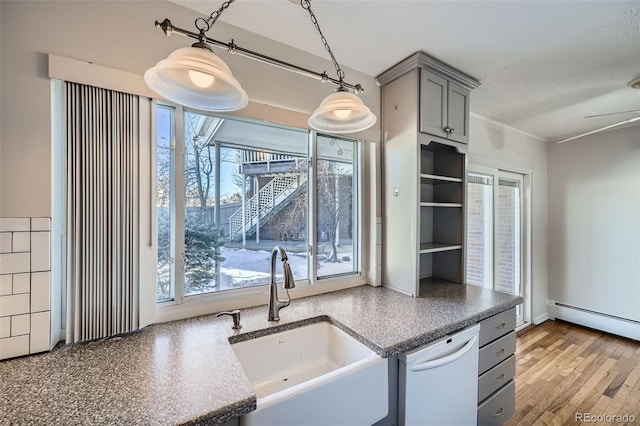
<point x="444" y="107"/>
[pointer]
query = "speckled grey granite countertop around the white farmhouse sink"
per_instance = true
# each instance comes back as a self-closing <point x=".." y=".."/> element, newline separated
<point x="186" y="372"/>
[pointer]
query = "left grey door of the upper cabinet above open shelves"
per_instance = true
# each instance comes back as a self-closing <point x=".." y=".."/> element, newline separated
<point x="433" y="104"/>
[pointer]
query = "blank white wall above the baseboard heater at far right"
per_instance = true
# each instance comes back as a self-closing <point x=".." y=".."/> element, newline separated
<point x="594" y="223"/>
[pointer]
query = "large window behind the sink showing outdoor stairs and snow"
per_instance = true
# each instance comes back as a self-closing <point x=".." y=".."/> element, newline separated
<point x="229" y="190"/>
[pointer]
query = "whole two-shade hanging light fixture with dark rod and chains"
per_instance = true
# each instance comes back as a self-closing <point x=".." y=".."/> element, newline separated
<point x="195" y="77"/>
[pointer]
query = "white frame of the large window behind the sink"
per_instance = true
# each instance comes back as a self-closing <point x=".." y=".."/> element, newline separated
<point x="182" y="306"/>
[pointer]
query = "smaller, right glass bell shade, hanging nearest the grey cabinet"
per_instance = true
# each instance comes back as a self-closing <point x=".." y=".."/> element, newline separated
<point x="342" y="112"/>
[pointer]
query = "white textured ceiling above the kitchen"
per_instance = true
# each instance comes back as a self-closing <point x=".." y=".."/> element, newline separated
<point x="543" y="65"/>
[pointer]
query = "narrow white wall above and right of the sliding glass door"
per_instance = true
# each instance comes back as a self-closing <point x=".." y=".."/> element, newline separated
<point x="499" y="146"/>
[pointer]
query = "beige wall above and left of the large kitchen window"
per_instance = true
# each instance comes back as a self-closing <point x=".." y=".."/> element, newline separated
<point x="119" y="35"/>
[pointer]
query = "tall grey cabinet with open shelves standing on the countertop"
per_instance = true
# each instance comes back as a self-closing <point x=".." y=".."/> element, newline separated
<point x="424" y="173"/>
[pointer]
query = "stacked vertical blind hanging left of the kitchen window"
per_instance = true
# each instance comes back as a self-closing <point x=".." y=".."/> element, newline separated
<point x="102" y="191"/>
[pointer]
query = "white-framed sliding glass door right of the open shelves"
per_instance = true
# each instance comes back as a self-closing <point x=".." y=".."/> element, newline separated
<point x="495" y="230"/>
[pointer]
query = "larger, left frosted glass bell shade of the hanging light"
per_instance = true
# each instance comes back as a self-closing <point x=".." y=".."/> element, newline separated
<point x="196" y="77"/>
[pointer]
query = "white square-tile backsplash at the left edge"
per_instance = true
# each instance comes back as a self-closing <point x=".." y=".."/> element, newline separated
<point x="25" y="286"/>
